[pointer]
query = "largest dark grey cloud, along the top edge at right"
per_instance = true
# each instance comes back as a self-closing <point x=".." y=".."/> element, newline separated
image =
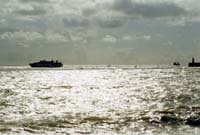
<point x="149" y="9"/>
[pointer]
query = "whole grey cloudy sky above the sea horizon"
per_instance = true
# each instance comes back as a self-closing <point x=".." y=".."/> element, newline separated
<point x="99" y="31"/>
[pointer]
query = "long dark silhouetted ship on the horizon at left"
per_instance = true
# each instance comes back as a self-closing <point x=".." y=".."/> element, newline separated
<point x="45" y="63"/>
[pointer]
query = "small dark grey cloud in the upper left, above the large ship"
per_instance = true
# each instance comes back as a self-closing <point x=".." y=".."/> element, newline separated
<point x="35" y="11"/>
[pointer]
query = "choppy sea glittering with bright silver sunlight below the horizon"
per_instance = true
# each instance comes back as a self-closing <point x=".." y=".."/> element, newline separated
<point x="114" y="100"/>
